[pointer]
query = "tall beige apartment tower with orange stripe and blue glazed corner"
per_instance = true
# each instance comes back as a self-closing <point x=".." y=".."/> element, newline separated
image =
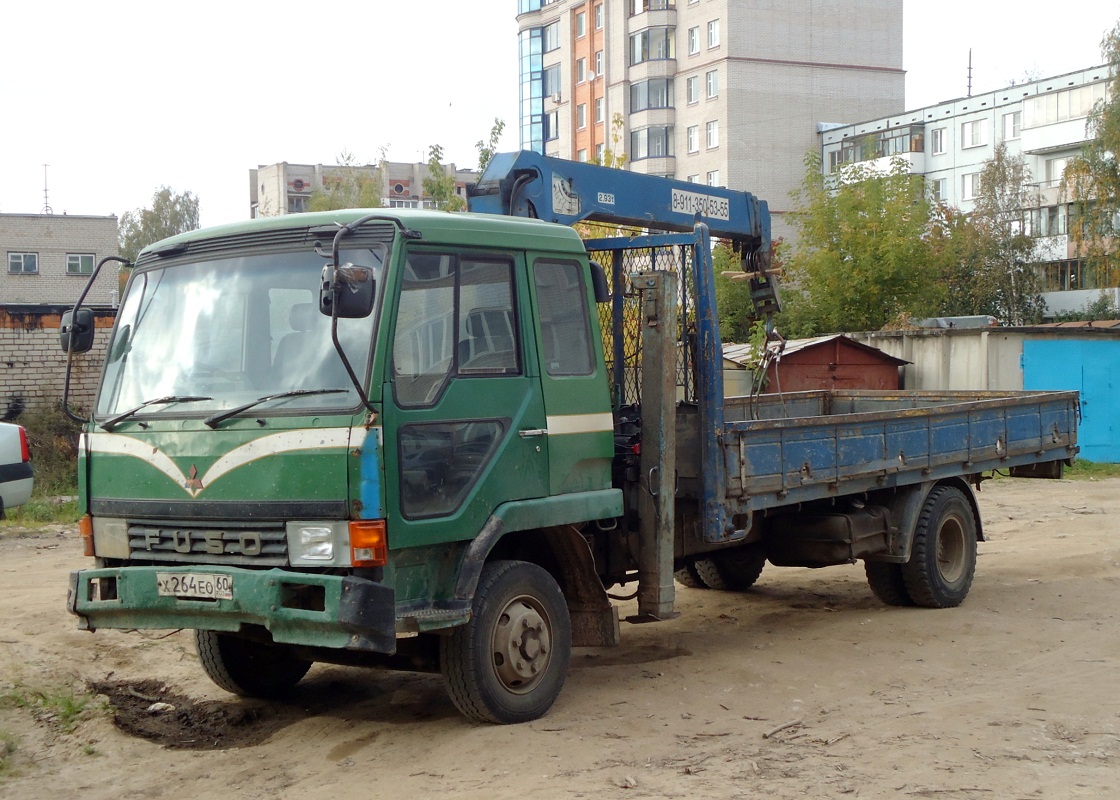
<point x="720" y="92"/>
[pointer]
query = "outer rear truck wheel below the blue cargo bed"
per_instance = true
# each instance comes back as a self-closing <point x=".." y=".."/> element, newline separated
<point x="944" y="556"/>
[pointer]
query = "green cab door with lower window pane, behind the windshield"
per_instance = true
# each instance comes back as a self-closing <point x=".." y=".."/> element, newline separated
<point x="465" y="416"/>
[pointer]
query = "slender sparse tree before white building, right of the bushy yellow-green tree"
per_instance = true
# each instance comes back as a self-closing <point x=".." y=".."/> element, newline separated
<point x="995" y="271"/>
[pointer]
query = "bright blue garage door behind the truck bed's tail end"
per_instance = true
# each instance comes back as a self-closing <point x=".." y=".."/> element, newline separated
<point x="1091" y="368"/>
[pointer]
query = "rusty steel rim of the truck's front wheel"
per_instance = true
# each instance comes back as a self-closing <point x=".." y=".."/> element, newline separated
<point x="522" y="645"/>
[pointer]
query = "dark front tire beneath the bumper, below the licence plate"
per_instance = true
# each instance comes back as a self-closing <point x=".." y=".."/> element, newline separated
<point x="248" y="668"/>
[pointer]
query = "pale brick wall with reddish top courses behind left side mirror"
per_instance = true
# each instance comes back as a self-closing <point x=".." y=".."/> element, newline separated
<point x="33" y="368"/>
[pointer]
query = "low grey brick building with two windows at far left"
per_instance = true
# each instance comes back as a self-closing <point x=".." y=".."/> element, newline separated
<point x="51" y="257"/>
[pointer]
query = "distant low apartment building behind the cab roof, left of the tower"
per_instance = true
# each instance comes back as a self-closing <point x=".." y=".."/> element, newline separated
<point x="287" y="189"/>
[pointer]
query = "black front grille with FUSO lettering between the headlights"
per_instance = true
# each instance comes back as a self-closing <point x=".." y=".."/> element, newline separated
<point x="254" y="545"/>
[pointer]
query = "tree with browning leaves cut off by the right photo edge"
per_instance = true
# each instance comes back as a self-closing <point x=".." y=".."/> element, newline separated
<point x="1093" y="180"/>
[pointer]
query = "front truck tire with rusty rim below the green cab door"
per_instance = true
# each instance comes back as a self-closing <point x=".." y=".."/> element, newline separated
<point x="509" y="664"/>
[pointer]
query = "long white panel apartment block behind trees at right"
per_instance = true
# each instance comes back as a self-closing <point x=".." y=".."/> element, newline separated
<point x="1044" y="122"/>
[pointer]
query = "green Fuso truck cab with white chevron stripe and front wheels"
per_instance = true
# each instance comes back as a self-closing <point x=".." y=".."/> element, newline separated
<point x="238" y="482"/>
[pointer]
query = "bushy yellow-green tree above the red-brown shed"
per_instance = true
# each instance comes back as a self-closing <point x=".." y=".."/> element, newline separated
<point x="865" y="254"/>
